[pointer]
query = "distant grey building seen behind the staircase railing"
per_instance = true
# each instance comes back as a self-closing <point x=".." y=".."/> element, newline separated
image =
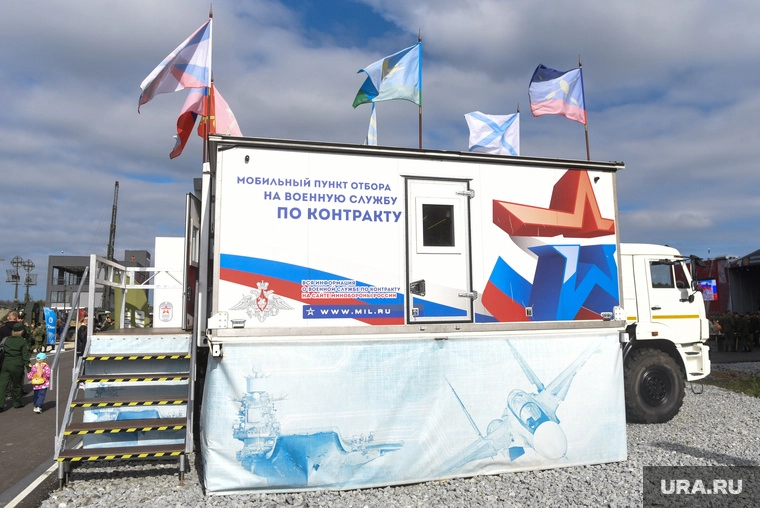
<point x="65" y="274"/>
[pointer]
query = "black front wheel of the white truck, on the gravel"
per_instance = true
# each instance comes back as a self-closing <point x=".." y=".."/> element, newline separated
<point x="654" y="387"/>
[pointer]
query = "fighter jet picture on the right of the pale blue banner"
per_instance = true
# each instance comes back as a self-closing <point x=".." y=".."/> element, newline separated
<point x="529" y="420"/>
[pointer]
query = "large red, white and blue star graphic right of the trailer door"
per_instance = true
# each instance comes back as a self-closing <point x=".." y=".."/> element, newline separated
<point x="571" y="281"/>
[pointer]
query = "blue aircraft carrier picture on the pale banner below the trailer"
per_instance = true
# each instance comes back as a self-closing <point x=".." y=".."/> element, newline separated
<point x="314" y="458"/>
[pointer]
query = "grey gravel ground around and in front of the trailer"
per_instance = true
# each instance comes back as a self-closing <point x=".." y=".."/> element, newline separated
<point x="714" y="428"/>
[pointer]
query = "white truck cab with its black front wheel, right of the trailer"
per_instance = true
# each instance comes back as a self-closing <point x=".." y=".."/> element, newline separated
<point x="667" y="328"/>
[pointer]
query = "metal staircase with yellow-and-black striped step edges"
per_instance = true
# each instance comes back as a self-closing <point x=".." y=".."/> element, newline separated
<point x="131" y="399"/>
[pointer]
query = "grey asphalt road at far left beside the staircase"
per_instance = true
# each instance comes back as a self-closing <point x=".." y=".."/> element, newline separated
<point x="27" y="440"/>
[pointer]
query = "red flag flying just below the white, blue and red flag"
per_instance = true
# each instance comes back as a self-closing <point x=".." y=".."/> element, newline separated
<point x="222" y="119"/>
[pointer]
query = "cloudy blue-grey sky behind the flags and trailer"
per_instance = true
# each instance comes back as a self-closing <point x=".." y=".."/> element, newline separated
<point x="672" y="89"/>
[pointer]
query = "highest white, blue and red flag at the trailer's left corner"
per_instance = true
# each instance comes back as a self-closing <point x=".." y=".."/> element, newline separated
<point x="188" y="66"/>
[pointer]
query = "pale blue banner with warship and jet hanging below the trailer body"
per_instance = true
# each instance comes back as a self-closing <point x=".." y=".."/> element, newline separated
<point x="370" y="413"/>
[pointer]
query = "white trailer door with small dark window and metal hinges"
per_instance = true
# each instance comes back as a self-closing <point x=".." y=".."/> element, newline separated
<point x="439" y="284"/>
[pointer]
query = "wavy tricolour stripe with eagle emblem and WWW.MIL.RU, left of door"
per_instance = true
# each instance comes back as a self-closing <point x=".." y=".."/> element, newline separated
<point x="324" y="295"/>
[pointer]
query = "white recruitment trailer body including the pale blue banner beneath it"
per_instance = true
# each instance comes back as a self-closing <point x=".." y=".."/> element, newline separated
<point x="380" y="316"/>
